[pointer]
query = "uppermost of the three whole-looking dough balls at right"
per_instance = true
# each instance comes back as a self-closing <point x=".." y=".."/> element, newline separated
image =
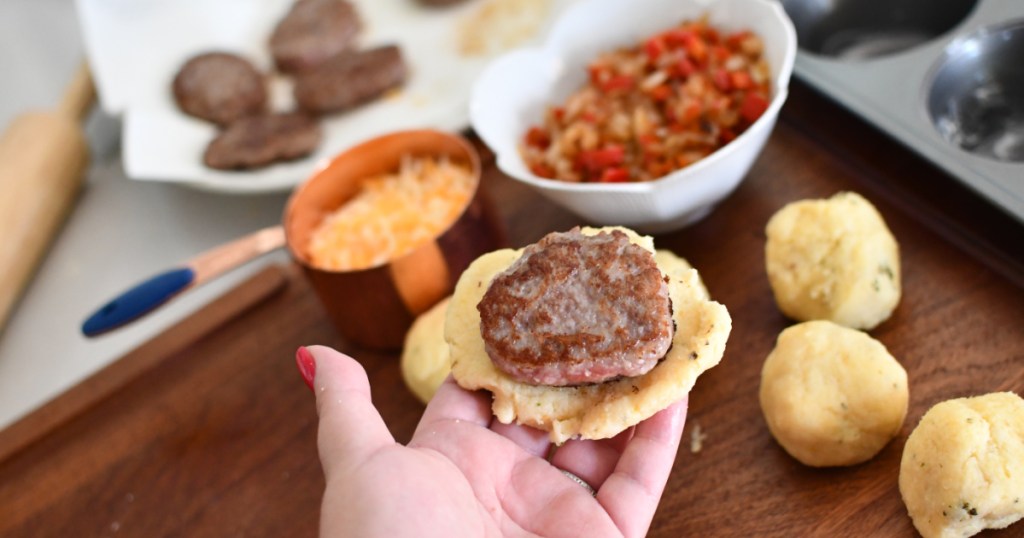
<point x="834" y="260"/>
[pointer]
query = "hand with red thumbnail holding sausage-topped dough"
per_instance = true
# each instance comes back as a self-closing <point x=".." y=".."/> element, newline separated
<point x="464" y="474"/>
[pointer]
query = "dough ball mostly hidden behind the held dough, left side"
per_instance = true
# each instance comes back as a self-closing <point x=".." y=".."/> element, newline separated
<point x="425" y="359"/>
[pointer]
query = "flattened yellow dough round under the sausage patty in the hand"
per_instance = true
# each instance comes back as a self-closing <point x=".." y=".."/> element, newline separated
<point x="598" y="410"/>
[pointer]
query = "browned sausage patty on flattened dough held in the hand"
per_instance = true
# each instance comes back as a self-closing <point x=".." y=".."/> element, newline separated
<point x="576" y="310"/>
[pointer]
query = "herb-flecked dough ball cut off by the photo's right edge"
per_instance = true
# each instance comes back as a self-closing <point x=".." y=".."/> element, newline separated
<point x="963" y="467"/>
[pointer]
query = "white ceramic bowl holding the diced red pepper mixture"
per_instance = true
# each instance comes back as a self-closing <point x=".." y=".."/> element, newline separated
<point x="515" y="91"/>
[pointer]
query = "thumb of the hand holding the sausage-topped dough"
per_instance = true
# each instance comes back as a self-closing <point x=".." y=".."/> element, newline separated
<point x="351" y="428"/>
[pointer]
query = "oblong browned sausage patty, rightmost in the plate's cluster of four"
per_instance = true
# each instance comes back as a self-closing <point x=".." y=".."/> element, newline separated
<point x="351" y="79"/>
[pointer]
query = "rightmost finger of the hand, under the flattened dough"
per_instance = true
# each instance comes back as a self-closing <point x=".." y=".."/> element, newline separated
<point x="632" y="492"/>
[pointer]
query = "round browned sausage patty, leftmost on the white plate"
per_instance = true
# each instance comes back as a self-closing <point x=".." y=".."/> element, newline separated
<point x="220" y="88"/>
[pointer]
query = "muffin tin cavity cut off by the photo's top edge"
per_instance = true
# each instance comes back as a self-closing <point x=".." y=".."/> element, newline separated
<point x="860" y="30"/>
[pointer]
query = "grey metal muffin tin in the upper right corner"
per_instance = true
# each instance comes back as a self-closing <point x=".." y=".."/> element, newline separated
<point x="947" y="78"/>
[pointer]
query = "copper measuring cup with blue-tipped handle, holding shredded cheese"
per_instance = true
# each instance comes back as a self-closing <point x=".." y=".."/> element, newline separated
<point x="372" y="308"/>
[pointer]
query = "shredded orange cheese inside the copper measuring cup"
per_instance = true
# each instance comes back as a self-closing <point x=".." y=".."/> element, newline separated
<point x="393" y="215"/>
